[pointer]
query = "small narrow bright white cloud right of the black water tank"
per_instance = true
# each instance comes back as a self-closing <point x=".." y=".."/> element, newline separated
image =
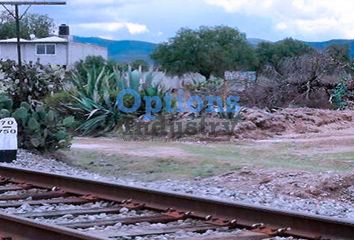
<point x="133" y="28"/>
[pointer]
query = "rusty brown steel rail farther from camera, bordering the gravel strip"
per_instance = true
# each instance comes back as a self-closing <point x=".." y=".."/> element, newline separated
<point x="243" y="215"/>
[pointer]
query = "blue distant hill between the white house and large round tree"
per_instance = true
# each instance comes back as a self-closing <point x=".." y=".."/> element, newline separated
<point x="122" y="51"/>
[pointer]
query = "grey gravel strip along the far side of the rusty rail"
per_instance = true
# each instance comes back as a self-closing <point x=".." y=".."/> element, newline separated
<point x="262" y="196"/>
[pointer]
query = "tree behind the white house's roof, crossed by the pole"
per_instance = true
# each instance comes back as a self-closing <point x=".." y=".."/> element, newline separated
<point x="37" y="24"/>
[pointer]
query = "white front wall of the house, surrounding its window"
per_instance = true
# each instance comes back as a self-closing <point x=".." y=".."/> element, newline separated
<point x="28" y="51"/>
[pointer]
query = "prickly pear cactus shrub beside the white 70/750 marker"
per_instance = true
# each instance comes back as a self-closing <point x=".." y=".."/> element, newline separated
<point x="22" y="93"/>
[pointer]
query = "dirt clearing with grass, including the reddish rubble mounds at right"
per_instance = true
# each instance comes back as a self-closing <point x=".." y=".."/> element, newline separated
<point x="317" y="163"/>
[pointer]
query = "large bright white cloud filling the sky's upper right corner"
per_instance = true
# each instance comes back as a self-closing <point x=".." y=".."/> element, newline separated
<point x="311" y="18"/>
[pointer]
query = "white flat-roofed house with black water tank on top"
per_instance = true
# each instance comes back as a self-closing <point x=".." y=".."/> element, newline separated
<point x="51" y="50"/>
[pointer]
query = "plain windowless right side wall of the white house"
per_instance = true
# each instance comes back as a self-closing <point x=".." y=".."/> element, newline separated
<point x="78" y="51"/>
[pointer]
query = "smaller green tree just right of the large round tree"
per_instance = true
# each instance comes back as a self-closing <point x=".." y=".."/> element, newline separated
<point x="274" y="53"/>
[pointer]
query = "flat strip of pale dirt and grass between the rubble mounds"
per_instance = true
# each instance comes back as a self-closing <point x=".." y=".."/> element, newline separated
<point x="154" y="160"/>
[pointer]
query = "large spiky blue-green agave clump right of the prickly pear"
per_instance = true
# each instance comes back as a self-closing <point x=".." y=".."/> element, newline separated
<point x="95" y="99"/>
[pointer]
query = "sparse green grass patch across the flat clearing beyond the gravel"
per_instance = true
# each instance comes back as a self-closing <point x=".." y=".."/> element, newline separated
<point x="200" y="160"/>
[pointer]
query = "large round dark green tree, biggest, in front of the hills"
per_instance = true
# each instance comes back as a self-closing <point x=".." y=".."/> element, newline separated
<point x="208" y="51"/>
